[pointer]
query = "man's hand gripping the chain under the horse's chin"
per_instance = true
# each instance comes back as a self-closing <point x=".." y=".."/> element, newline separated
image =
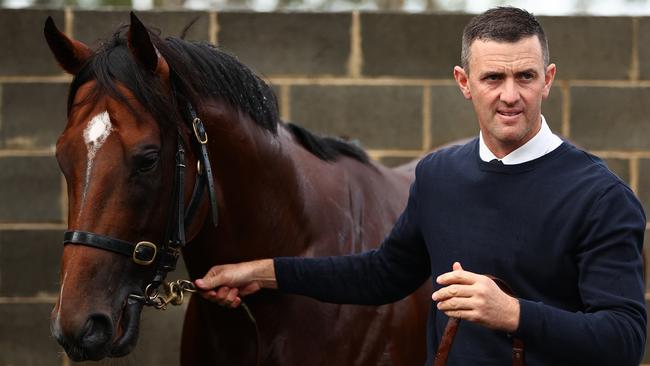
<point x="226" y="284"/>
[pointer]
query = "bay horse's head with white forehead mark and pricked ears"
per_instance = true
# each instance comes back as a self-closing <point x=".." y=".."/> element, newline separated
<point x="119" y="163"/>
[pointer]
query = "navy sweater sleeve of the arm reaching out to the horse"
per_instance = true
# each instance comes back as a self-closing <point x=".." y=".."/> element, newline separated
<point x="394" y="270"/>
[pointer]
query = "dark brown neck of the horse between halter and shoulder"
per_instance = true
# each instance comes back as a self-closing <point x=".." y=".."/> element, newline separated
<point x="261" y="205"/>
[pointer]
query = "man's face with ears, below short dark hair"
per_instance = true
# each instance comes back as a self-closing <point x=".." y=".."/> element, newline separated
<point x="506" y="84"/>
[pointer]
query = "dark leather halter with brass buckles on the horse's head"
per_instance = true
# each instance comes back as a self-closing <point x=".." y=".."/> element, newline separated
<point x="164" y="257"/>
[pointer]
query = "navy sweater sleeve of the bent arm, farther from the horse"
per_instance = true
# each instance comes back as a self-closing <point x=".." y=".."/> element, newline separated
<point x="612" y="328"/>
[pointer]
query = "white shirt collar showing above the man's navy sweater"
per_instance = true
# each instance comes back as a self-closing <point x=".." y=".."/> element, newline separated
<point x="541" y="144"/>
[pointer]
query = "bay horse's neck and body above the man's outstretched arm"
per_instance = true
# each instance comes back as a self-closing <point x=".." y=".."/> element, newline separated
<point x="277" y="199"/>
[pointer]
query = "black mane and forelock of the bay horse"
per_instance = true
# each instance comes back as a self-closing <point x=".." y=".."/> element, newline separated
<point x="197" y="70"/>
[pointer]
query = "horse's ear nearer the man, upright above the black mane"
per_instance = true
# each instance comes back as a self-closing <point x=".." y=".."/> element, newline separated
<point x="143" y="49"/>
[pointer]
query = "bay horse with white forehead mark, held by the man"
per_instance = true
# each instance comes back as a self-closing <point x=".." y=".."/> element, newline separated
<point x="135" y="150"/>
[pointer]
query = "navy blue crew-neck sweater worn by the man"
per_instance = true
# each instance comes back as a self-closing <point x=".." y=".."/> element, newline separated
<point x="562" y="230"/>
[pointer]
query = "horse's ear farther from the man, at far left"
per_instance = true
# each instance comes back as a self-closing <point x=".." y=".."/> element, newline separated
<point x="69" y="53"/>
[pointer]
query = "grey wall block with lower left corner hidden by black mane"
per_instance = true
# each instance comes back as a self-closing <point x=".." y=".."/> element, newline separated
<point x="288" y="43"/>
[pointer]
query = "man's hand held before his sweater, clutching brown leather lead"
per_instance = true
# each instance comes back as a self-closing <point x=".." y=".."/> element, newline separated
<point x="474" y="297"/>
